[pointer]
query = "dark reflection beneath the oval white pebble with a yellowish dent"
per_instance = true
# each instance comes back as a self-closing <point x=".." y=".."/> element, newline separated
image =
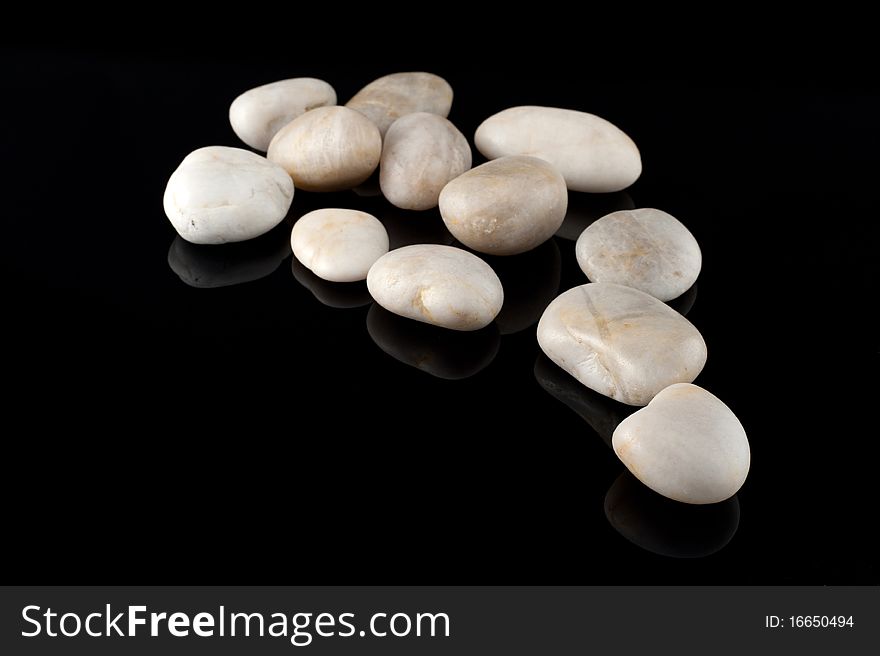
<point x="448" y="354"/>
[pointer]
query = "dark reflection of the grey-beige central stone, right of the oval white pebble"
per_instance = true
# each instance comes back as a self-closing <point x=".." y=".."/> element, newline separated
<point x="530" y="281"/>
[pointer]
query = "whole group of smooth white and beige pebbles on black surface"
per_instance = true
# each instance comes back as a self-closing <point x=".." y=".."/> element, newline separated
<point x="615" y="335"/>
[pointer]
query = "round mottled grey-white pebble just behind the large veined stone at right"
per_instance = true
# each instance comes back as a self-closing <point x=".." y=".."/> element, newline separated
<point x="646" y="248"/>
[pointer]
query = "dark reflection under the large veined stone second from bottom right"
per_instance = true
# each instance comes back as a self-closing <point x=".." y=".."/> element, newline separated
<point x="600" y="412"/>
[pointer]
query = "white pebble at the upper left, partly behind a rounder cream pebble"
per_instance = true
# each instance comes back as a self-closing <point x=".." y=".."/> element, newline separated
<point x="258" y="114"/>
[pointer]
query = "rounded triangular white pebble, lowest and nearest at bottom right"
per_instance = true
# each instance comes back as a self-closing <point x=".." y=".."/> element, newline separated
<point x="686" y="445"/>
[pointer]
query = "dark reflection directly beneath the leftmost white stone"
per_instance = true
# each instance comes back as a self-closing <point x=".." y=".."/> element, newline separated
<point x="229" y="264"/>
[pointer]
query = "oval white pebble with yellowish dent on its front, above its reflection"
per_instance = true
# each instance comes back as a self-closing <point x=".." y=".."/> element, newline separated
<point x="440" y="285"/>
